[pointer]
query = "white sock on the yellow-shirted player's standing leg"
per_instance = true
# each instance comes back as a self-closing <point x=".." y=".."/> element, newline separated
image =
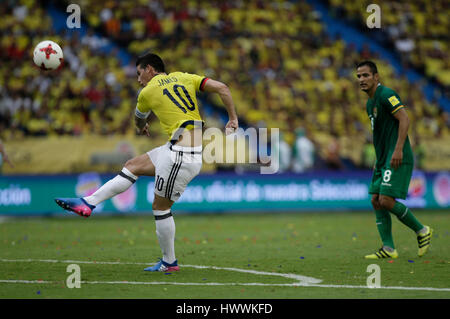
<point x="165" y="231"/>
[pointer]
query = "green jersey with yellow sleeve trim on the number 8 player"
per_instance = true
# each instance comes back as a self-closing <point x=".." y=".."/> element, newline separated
<point x="381" y="109"/>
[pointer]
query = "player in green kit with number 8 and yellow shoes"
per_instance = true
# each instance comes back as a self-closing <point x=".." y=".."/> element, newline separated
<point x="394" y="161"/>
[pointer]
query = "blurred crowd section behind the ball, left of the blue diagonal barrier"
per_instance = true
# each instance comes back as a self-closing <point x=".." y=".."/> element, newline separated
<point x="90" y="93"/>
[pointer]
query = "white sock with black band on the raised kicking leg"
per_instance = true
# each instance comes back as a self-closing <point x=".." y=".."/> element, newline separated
<point x="113" y="187"/>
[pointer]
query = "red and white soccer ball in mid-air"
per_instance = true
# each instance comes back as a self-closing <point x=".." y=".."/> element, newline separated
<point x="48" y="55"/>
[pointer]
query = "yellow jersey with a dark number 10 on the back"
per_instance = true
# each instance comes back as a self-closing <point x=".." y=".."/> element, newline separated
<point x="172" y="97"/>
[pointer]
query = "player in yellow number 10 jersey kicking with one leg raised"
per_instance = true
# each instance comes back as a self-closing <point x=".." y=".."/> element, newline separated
<point x="172" y="98"/>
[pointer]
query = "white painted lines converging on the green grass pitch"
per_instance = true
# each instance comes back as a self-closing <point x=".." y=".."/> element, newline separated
<point x="302" y="281"/>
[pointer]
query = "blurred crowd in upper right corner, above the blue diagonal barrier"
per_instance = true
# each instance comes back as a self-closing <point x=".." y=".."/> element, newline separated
<point x="416" y="29"/>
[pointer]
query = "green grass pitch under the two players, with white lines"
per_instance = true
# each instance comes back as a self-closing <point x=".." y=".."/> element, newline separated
<point x="247" y="256"/>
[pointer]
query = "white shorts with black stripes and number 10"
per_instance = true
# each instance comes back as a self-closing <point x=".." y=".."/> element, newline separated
<point x="175" y="167"/>
